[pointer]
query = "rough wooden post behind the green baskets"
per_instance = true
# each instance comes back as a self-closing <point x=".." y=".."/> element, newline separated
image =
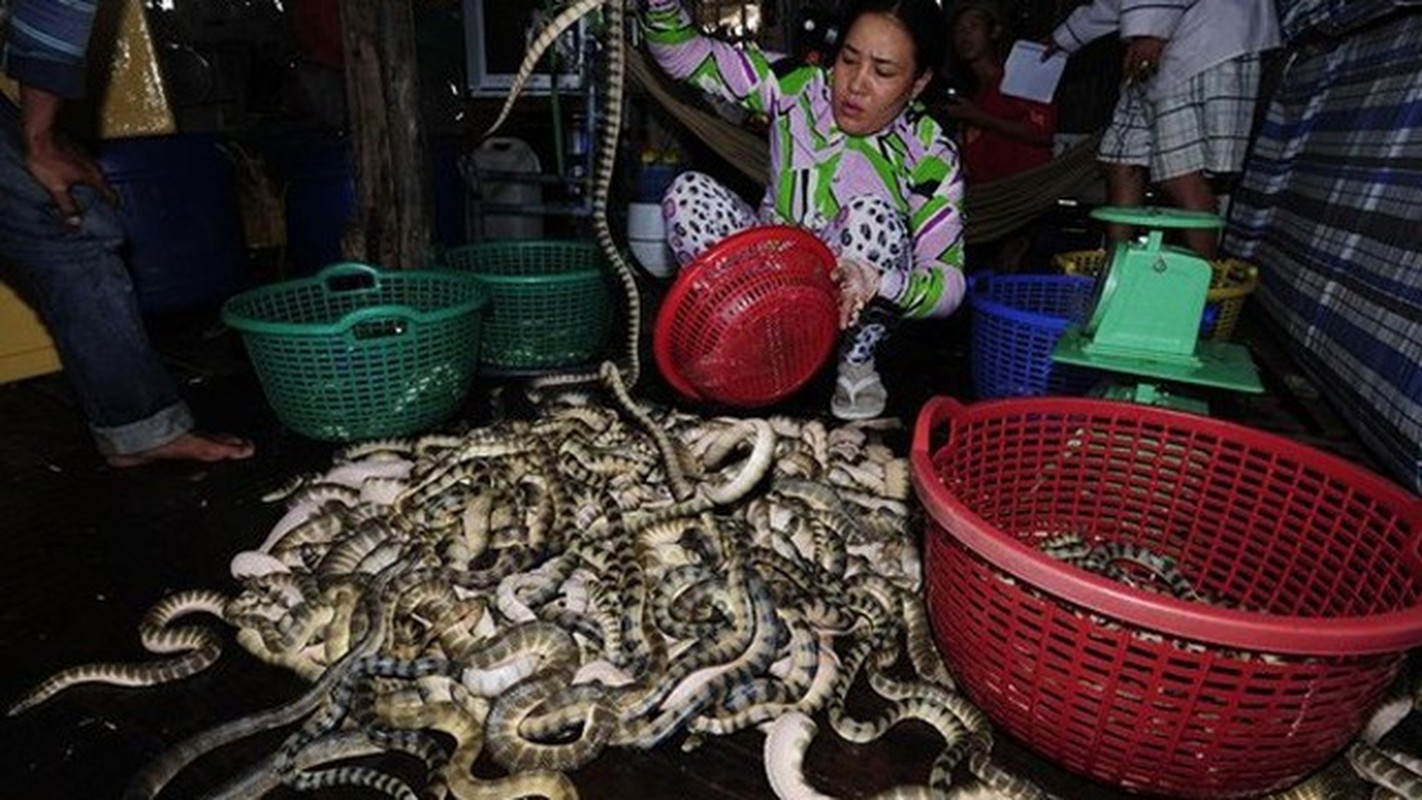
<point x="393" y="188"/>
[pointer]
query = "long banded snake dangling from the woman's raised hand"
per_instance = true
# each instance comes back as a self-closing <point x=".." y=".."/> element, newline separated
<point x="609" y="133"/>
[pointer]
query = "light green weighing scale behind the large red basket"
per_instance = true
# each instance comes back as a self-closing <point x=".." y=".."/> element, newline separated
<point x="1145" y="319"/>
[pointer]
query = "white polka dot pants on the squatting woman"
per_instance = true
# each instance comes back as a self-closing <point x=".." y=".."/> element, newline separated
<point x="700" y="211"/>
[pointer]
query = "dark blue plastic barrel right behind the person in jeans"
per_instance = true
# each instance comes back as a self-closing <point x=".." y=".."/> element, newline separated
<point x="178" y="204"/>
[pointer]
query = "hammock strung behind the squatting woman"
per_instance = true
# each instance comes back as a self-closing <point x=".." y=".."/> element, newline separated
<point x="993" y="210"/>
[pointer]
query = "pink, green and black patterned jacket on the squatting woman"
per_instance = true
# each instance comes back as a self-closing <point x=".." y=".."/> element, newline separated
<point x="816" y="167"/>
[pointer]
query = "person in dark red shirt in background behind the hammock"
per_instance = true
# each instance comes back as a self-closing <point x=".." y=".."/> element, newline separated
<point x="1000" y="134"/>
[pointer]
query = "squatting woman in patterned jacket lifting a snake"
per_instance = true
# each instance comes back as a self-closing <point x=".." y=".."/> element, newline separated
<point x="854" y="158"/>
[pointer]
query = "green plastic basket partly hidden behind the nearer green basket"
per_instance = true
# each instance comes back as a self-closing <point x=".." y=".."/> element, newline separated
<point x="552" y="306"/>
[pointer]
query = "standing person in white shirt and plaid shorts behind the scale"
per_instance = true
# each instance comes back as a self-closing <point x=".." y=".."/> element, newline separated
<point x="1187" y="107"/>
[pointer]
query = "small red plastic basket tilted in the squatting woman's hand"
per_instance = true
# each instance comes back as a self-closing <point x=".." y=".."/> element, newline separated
<point x="752" y="320"/>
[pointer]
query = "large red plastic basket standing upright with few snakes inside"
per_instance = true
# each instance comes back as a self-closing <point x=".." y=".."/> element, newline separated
<point x="1316" y="563"/>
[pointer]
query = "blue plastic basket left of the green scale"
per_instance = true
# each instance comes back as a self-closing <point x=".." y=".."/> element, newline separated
<point x="1016" y="325"/>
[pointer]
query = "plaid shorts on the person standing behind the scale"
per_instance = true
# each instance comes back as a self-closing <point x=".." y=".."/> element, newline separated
<point x="1204" y="127"/>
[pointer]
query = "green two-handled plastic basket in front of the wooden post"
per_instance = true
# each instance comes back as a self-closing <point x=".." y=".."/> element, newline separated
<point x="360" y="353"/>
